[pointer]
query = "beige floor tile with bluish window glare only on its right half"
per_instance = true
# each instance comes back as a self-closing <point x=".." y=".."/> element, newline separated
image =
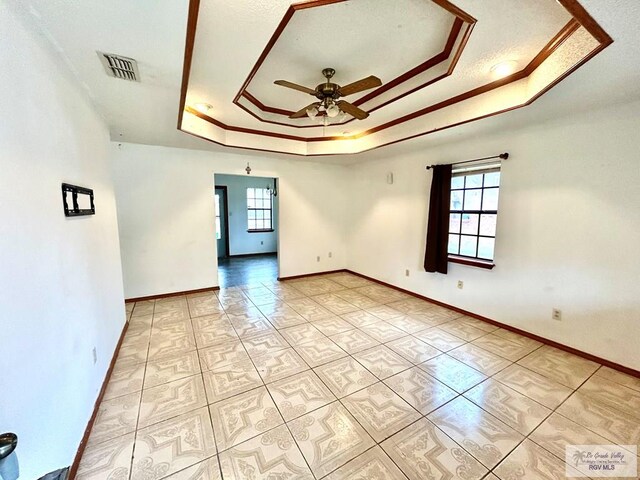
<point x="421" y="391"/>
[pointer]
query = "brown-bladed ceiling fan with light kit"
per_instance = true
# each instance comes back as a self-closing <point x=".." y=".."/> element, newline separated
<point x="329" y="93"/>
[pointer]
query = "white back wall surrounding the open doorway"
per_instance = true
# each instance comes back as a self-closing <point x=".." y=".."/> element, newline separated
<point x="166" y="212"/>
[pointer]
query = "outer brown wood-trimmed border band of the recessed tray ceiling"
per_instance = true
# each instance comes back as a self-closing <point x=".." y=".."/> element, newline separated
<point x="585" y="38"/>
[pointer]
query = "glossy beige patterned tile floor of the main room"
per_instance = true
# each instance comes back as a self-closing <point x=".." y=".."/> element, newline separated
<point x="337" y="377"/>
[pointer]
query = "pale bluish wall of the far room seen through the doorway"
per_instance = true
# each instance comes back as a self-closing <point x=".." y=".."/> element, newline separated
<point x="240" y="241"/>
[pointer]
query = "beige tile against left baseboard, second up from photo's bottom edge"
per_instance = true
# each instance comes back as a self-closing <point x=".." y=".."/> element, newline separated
<point x="116" y="417"/>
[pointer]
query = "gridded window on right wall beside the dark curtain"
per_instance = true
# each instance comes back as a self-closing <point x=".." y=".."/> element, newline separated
<point x="474" y="212"/>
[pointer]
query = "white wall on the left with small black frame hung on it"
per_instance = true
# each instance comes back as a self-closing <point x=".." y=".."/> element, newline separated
<point x="60" y="278"/>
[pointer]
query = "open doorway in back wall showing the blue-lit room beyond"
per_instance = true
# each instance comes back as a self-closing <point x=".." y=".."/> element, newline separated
<point x="246" y="226"/>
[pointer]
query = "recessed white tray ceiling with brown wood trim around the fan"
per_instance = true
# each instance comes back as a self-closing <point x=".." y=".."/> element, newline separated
<point x="434" y="58"/>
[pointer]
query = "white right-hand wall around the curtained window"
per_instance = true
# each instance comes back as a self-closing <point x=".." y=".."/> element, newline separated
<point x="568" y="229"/>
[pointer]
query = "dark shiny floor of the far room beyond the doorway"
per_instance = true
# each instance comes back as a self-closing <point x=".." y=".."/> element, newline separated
<point x="234" y="271"/>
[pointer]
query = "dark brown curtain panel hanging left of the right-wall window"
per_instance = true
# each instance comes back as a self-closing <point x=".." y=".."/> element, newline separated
<point x="435" y="256"/>
